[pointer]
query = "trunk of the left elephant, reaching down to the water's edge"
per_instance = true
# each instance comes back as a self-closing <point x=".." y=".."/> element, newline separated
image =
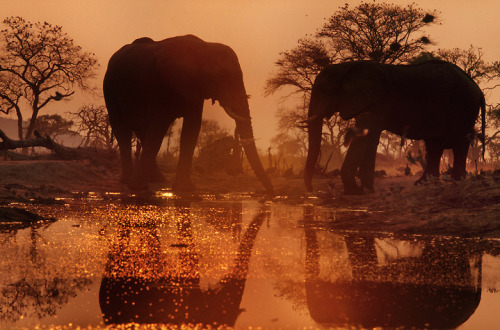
<point x="248" y="142"/>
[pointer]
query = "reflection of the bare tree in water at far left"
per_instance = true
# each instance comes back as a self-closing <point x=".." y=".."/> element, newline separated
<point x="34" y="280"/>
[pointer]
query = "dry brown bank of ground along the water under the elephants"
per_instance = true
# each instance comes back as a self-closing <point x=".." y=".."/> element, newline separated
<point x="470" y="208"/>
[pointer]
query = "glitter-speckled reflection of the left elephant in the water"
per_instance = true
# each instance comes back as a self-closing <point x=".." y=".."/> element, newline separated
<point x="139" y="286"/>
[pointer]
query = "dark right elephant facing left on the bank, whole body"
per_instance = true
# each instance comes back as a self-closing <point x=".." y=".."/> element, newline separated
<point x="434" y="101"/>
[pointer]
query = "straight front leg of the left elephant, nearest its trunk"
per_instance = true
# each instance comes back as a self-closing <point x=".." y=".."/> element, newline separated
<point x="189" y="136"/>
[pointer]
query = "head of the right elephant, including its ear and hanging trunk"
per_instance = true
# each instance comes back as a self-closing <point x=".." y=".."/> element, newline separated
<point x="350" y="89"/>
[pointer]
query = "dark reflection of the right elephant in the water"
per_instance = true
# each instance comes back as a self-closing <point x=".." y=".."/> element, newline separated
<point x="436" y="288"/>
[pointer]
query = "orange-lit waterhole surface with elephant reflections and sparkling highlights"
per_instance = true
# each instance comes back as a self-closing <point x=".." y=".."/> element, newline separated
<point x="238" y="263"/>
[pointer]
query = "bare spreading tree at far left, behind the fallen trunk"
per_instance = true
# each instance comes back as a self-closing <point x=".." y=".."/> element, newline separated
<point x="39" y="64"/>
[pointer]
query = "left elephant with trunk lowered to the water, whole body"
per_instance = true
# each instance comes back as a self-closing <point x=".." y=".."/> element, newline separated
<point x="149" y="84"/>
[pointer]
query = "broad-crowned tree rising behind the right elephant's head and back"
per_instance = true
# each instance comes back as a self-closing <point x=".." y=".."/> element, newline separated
<point x="382" y="32"/>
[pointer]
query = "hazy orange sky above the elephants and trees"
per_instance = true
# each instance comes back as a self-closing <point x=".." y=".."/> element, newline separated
<point x="256" y="29"/>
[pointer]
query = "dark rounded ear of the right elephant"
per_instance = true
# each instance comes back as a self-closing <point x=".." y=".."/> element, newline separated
<point x="363" y="86"/>
